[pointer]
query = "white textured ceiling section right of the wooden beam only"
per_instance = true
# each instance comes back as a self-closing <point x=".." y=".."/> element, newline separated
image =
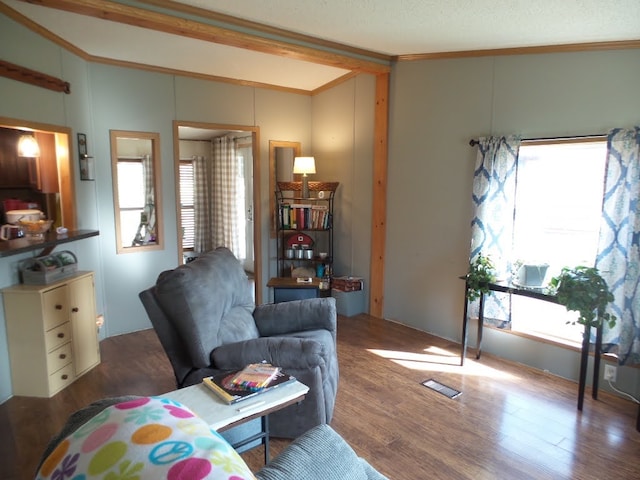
<point x="398" y="27"/>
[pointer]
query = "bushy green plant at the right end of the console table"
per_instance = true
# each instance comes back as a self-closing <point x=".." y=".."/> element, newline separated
<point x="582" y="289"/>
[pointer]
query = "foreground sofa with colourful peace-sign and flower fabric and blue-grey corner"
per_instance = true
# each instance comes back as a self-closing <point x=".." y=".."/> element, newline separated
<point x="130" y="435"/>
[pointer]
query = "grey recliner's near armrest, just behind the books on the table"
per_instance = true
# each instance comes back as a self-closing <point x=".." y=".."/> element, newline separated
<point x="286" y="352"/>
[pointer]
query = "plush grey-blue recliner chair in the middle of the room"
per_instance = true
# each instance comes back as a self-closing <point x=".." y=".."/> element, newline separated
<point x="207" y="322"/>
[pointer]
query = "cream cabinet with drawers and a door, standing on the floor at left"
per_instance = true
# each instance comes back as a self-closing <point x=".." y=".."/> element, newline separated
<point x="52" y="334"/>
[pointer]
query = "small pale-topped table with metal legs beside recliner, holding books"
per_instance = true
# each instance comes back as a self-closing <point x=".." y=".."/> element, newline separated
<point x="220" y="416"/>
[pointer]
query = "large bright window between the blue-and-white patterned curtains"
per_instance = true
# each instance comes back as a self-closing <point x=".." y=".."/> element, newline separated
<point x="557" y="219"/>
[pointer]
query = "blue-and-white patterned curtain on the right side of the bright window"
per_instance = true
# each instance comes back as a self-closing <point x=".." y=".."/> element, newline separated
<point x="618" y="257"/>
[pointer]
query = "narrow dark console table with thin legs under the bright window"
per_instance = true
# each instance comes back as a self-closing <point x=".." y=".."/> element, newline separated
<point x="511" y="289"/>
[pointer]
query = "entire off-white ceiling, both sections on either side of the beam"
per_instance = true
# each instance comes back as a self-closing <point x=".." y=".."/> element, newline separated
<point x="390" y="27"/>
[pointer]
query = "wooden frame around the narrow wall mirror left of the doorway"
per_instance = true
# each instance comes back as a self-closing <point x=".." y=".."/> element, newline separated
<point x="155" y="153"/>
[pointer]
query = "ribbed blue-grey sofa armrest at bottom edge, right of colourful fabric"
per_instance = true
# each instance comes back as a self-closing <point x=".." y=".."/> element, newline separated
<point x="319" y="454"/>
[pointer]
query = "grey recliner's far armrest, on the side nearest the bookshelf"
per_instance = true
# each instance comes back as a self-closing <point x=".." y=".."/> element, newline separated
<point x="296" y="316"/>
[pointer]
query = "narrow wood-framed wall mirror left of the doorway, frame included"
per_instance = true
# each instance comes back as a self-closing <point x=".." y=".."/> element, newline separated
<point x="135" y="161"/>
